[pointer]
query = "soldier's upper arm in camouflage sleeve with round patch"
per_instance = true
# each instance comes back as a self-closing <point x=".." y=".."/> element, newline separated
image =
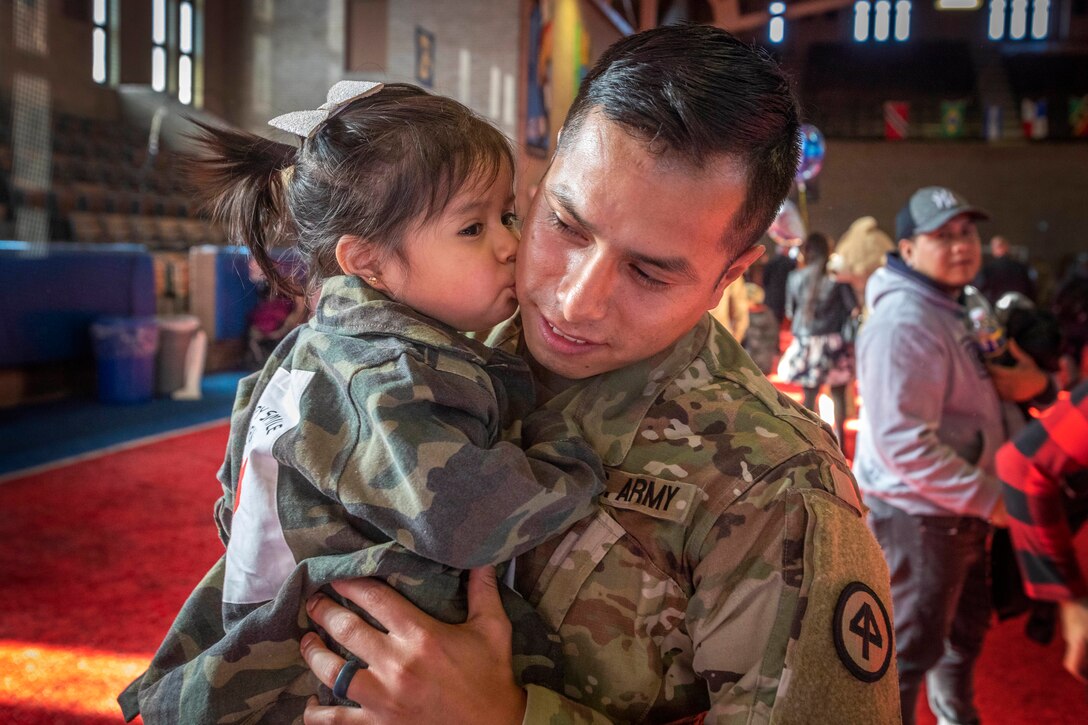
<point x="790" y="619"/>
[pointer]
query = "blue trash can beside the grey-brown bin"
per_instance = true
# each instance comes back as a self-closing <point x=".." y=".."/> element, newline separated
<point x="125" y="349"/>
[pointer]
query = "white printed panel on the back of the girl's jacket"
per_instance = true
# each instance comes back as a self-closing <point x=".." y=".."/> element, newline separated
<point x="258" y="559"/>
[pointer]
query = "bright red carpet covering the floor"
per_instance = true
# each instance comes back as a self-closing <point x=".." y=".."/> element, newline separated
<point x="97" y="557"/>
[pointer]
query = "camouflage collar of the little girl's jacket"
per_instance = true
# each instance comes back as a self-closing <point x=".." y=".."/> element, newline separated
<point x="349" y="306"/>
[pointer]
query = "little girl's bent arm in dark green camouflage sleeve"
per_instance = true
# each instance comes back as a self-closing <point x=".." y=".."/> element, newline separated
<point x="425" y="469"/>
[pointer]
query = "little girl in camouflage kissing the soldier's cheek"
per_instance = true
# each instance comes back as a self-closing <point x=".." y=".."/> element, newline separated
<point x="377" y="441"/>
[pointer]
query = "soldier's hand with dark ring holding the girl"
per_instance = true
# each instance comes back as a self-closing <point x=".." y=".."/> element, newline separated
<point x="424" y="670"/>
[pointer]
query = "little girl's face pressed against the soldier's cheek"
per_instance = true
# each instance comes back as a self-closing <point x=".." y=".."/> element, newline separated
<point x="461" y="266"/>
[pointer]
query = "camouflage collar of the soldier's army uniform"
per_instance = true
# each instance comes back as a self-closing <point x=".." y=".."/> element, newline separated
<point x="611" y="408"/>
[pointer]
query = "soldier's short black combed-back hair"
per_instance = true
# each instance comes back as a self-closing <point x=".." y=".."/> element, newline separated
<point x="697" y="94"/>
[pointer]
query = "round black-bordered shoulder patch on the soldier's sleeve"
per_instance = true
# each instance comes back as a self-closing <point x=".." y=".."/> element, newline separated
<point x="862" y="632"/>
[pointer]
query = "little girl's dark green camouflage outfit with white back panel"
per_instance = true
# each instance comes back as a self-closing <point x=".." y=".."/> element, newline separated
<point x="370" y="444"/>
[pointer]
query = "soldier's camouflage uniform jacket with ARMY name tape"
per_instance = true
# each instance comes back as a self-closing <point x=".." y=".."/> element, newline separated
<point x="731" y="570"/>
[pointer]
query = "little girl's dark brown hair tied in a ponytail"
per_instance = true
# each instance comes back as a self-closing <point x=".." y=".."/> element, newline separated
<point x="384" y="165"/>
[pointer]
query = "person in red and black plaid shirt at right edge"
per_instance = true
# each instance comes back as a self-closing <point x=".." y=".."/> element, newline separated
<point x="1037" y="468"/>
